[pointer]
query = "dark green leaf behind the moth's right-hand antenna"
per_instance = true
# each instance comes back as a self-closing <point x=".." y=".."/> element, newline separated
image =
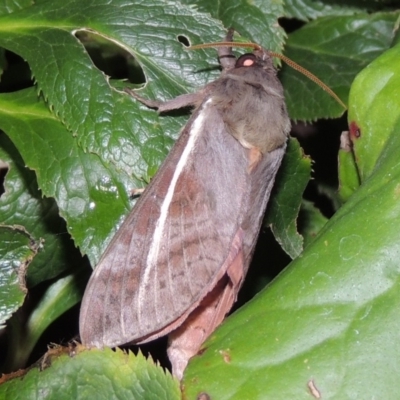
<point x="334" y="49"/>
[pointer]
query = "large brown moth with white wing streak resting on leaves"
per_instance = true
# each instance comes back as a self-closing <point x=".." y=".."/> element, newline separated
<point x="178" y="261"/>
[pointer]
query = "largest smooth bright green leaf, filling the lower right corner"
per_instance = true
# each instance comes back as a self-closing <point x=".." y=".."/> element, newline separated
<point x="331" y="318"/>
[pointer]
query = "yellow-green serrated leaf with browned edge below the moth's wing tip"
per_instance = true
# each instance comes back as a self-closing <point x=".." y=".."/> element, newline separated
<point x="92" y="374"/>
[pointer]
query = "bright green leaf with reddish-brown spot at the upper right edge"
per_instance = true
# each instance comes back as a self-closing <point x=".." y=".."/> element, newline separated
<point x="374" y="113"/>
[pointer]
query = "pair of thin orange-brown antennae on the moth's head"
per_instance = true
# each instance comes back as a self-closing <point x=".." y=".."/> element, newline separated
<point x="285" y="59"/>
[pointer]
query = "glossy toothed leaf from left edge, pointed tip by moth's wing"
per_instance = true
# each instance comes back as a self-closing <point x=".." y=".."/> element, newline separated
<point x="88" y="194"/>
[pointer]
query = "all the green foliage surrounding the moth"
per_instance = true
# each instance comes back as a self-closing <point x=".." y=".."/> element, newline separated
<point x="74" y="145"/>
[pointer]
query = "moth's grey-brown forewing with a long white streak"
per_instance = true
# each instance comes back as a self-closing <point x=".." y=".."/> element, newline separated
<point x="170" y="250"/>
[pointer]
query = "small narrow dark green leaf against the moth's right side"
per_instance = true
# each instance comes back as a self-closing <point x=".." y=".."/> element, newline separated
<point x="284" y="206"/>
